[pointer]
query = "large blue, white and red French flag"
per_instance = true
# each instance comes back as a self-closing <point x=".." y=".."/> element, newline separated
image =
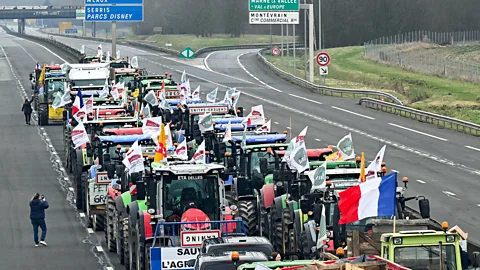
<point x="373" y="198"/>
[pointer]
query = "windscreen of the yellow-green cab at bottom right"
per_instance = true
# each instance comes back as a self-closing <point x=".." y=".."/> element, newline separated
<point x="426" y="257"/>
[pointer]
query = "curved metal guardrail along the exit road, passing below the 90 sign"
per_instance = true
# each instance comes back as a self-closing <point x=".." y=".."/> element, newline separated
<point x="324" y="90"/>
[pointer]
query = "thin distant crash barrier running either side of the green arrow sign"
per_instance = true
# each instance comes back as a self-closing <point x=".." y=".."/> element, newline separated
<point x="198" y="52"/>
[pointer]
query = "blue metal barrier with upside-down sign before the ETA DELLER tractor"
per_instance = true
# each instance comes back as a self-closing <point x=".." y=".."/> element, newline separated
<point x="172" y="234"/>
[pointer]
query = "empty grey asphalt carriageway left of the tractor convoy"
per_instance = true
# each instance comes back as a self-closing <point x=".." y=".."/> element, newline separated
<point x="31" y="162"/>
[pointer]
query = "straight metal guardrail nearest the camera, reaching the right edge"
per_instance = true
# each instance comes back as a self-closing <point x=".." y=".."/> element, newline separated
<point x="422" y="116"/>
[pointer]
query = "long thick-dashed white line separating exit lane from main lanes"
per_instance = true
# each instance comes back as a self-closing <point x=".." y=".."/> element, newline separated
<point x="338" y="125"/>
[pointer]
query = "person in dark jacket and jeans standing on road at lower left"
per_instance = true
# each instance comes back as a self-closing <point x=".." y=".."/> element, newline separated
<point x="37" y="217"/>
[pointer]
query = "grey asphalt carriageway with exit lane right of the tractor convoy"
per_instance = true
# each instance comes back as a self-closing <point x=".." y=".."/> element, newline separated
<point x="441" y="164"/>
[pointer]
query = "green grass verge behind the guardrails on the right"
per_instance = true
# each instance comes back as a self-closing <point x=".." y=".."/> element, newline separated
<point x="348" y="69"/>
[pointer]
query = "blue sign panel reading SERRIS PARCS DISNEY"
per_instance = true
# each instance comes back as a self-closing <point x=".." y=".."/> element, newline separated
<point x="114" y="13"/>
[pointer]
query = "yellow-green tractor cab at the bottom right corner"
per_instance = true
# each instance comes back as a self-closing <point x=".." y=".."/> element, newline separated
<point x="423" y="249"/>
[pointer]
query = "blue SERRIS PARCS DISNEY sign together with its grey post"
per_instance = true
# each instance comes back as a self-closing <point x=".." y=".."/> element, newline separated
<point x="115" y="10"/>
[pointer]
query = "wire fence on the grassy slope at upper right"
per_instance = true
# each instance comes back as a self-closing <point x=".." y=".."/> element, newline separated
<point x="420" y="51"/>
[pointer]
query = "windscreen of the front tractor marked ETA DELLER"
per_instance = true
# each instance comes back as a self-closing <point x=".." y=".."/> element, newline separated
<point x="194" y="191"/>
